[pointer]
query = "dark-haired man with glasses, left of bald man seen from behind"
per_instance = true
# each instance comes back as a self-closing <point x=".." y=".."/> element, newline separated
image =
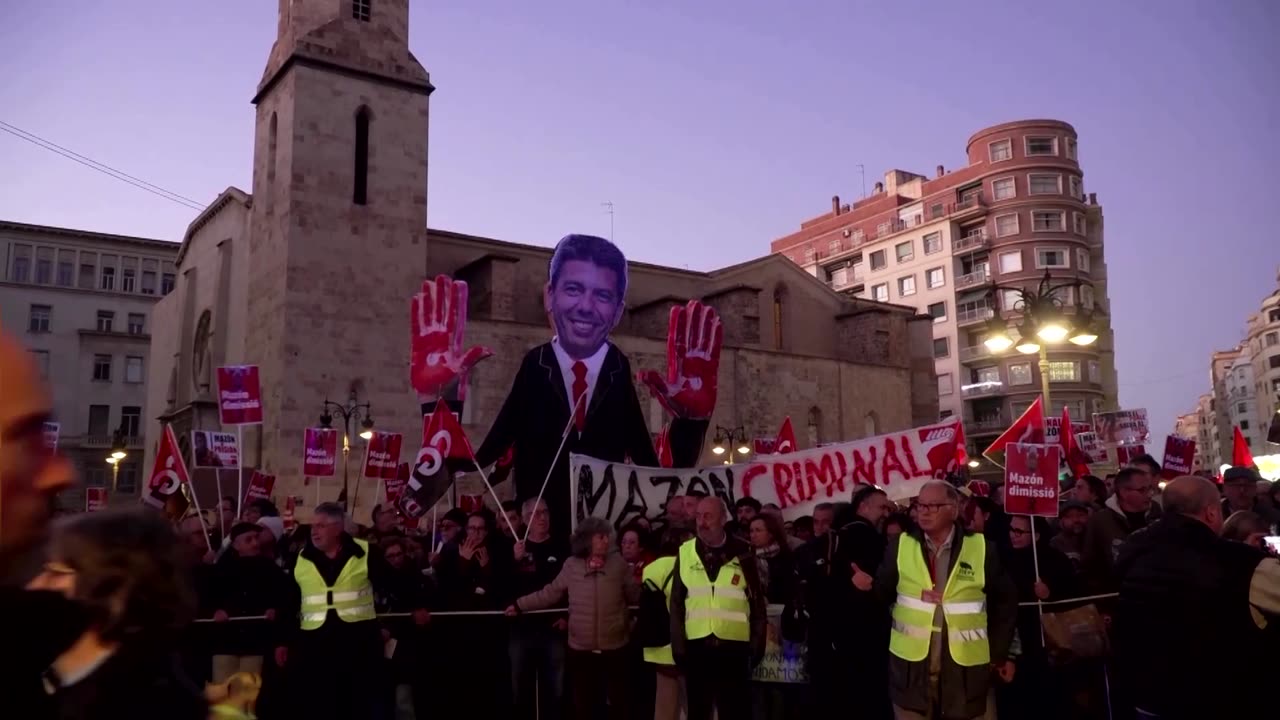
<point x="1124" y="513"/>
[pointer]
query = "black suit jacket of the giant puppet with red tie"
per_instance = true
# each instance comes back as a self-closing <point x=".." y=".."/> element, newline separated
<point x="537" y="412"/>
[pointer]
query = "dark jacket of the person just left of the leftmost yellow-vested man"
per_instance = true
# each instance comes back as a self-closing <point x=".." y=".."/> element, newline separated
<point x="245" y="587"/>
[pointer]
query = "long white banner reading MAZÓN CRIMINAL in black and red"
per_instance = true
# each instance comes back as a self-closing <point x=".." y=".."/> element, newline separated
<point x="899" y="463"/>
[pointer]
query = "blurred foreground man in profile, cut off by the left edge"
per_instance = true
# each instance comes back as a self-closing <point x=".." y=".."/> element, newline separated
<point x="36" y="627"/>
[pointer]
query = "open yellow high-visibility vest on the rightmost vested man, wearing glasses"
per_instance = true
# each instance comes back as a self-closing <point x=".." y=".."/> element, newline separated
<point x="964" y="604"/>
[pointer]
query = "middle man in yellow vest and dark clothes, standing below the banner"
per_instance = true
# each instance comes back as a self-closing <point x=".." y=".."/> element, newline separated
<point x="717" y="617"/>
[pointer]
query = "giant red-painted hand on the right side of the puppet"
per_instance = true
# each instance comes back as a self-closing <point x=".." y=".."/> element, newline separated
<point x="694" y="341"/>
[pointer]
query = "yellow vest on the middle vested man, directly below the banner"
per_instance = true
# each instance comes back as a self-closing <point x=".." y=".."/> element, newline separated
<point x="719" y="609"/>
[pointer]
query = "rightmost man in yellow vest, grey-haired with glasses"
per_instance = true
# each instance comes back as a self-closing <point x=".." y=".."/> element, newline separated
<point x="954" y="612"/>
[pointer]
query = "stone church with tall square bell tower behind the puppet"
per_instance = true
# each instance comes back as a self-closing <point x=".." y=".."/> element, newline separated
<point x="310" y="279"/>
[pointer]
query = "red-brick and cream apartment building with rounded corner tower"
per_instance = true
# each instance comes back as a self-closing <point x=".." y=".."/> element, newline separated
<point x="958" y="247"/>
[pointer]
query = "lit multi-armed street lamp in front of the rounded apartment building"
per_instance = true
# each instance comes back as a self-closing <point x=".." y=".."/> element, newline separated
<point x="1044" y="325"/>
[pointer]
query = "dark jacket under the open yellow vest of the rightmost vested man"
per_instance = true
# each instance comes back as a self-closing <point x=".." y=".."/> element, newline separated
<point x="964" y="690"/>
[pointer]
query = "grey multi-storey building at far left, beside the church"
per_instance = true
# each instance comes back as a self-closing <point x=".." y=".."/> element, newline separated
<point x="83" y="304"/>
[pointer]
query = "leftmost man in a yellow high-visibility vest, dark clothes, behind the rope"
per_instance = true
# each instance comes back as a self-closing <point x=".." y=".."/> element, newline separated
<point x="335" y="649"/>
